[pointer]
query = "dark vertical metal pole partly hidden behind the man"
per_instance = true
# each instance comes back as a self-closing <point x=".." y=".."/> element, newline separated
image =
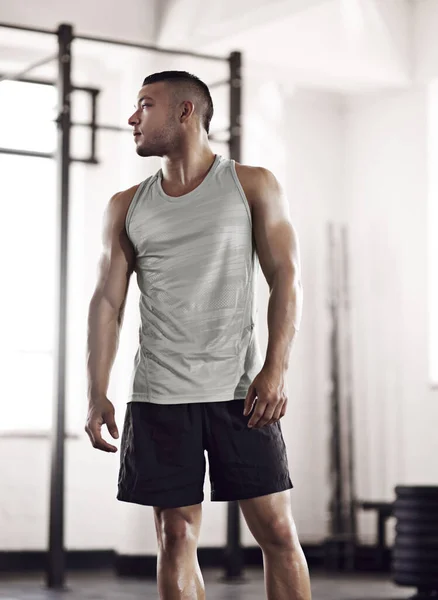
<point x="234" y="552"/>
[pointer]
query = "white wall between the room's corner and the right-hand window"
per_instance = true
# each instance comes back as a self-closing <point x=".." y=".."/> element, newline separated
<point x="387" y="198"/>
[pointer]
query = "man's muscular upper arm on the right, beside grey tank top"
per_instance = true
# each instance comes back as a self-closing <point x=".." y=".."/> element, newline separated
<point x="275" y="237"/>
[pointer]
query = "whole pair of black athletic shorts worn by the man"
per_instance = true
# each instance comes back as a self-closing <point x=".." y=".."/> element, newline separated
<point x="162" y="457"/>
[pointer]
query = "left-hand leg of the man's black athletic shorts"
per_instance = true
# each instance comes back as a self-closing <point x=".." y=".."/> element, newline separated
<point x="162" y="460"/>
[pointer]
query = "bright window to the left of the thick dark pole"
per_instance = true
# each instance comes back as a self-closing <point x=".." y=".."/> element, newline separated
<point x="27" y="250"/>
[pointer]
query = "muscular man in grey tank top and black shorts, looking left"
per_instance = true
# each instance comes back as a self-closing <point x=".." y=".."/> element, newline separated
<point x="193" y="233"/>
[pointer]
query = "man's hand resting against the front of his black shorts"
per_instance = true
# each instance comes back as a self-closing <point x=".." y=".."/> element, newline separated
<point x="269" y="389"/>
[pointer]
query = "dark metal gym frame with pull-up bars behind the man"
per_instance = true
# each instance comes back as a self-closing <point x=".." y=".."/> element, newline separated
<point x="56" y="564"/>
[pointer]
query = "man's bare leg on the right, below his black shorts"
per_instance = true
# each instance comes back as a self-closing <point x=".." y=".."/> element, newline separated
<point x="270" y="520"/>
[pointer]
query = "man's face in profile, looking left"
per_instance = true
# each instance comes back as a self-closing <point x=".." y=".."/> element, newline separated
<point x="154" y="121"/>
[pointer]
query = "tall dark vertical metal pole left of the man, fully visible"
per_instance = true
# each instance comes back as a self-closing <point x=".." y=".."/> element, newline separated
<point x="56" y="558"/>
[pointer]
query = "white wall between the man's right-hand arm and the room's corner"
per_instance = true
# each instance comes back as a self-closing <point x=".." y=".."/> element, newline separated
<point x="304" y="146"/>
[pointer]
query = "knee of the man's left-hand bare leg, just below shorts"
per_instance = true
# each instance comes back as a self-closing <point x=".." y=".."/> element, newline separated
<point x="177" y="529"/>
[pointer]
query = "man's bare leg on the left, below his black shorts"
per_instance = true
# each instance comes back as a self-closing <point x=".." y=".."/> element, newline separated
<point x="178" y="572"/>
